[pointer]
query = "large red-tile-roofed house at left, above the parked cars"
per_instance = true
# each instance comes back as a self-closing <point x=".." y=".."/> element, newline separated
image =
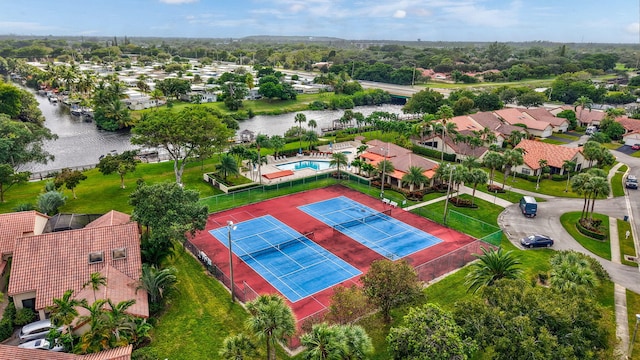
<point x="46" y="265"/>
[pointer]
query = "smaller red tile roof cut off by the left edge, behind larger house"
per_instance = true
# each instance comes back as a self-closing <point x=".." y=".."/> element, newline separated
<point x="15" y="225"/>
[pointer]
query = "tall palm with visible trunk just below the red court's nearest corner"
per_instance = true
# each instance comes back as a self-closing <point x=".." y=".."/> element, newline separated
<point x="271" y="319"/>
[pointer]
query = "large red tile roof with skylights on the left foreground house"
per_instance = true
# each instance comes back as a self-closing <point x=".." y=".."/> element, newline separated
<point x="50" y="264"/>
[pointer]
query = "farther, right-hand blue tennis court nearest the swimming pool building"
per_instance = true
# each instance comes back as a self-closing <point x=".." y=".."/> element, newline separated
<point x="380" y="232"/>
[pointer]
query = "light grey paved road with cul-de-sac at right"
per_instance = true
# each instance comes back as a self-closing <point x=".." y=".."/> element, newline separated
<point x="547" y="222"/>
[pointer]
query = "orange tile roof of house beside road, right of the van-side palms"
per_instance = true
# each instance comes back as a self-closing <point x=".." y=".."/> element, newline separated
<point x="554" y="154"/>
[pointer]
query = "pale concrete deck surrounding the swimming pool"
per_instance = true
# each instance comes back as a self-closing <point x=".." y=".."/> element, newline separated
<point x="324" y="154"/>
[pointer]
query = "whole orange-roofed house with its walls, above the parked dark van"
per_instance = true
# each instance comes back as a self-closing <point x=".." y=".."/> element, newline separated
<point x="555" y="155"/>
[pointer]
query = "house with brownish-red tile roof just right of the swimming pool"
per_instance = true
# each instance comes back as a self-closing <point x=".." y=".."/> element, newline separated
<point x="401" y="158"/>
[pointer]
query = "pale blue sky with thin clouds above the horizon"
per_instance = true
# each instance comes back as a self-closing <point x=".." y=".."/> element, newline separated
<point x="569" y="21"/>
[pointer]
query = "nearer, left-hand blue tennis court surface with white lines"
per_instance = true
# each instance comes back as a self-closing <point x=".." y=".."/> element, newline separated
<point x="295" y="265"/>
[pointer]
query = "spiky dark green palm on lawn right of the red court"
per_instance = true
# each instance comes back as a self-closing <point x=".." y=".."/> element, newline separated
<point x="492" y="266"/>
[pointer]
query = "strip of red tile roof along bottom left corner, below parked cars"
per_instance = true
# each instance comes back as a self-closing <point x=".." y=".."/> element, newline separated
<point x="16" y="353"/>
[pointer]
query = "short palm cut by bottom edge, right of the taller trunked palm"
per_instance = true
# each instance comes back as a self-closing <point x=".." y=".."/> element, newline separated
<point x="324" y="342"/>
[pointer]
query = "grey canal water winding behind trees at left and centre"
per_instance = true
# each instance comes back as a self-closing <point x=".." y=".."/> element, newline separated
<point x="80" y="143"/>
